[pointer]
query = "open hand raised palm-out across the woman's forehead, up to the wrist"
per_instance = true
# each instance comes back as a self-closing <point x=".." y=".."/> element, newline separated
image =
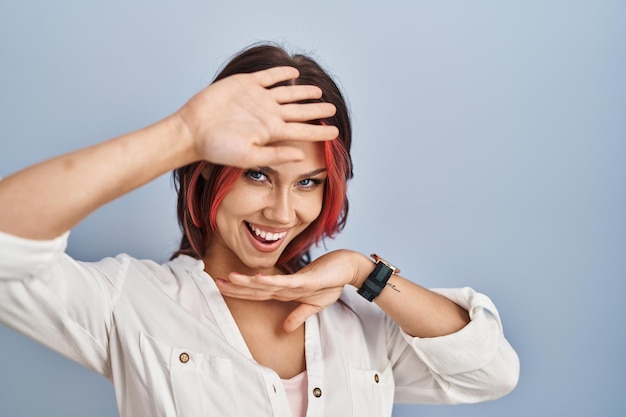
<point x="239" y="121"/>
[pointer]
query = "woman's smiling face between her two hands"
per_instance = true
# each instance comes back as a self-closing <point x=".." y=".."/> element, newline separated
<point x="266" y="209"/>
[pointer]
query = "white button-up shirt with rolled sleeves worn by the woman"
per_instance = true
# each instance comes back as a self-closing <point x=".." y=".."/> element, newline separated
<point x="163" y="335"/>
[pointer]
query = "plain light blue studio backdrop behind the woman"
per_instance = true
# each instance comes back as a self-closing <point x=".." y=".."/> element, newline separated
<point x="489" y="150"/>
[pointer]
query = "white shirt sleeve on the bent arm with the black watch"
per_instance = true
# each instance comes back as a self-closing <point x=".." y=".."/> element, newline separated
<point x="475" y="364"/>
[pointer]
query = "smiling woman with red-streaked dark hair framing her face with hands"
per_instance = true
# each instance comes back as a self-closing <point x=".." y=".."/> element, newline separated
<point x="239" y="322"/>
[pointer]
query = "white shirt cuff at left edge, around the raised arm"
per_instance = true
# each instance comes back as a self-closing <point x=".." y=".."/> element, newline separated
<point x="21" y="257"/>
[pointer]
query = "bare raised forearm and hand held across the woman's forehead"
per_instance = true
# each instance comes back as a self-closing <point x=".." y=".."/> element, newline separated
<point x="237" y="121"/>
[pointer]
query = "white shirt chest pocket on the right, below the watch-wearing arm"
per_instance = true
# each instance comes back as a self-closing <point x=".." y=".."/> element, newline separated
<point x="372" y="392"/>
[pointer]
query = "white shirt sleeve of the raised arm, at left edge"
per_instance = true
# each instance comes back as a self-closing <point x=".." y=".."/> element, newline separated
<point x="62" y="303"/>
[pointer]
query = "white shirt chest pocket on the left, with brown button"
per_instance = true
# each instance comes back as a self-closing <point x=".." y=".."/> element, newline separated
<point x="188" y="383"/>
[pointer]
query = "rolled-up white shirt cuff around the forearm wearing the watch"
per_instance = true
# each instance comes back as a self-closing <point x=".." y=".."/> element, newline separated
<point x="468" y="349"/>
